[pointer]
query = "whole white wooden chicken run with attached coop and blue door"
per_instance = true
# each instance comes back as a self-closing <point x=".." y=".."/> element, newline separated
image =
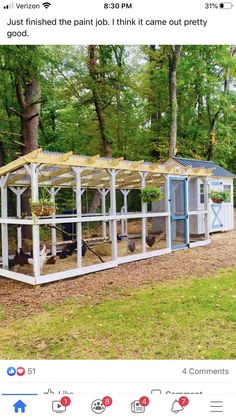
<point x="79" y="242"/>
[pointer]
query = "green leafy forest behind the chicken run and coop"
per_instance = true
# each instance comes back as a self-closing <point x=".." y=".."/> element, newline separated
<point x="140" y="102"/>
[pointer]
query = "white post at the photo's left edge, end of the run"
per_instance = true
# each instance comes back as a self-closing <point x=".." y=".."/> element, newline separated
<point x="4" y="213"/>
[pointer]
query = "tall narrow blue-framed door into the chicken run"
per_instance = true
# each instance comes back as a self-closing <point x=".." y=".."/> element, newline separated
<point x="179" y="216"/>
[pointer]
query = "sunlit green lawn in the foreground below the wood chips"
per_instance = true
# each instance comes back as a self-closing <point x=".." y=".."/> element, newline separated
<point x="185" y="319"/>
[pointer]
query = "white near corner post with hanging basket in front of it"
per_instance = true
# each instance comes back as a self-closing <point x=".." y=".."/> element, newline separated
<point x="35" y="228"/>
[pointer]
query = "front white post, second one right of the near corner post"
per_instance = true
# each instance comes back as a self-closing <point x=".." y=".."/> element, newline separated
<point x="113" y="224"/>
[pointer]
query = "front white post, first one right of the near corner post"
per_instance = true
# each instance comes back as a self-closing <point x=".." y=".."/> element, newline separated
<point x="79" y="193"/>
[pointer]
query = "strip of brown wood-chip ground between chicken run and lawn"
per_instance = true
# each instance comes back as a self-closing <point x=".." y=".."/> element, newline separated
<point x="20" y="300"/>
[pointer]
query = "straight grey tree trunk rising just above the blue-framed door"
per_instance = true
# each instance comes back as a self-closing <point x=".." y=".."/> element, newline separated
<point x="174" y="58"/>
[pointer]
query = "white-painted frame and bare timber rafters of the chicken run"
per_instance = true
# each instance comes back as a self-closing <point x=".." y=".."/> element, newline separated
<point x="57" y="170"/>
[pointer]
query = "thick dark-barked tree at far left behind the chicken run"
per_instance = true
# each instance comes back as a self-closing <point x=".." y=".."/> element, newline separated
<point x="22" y="63"/>
